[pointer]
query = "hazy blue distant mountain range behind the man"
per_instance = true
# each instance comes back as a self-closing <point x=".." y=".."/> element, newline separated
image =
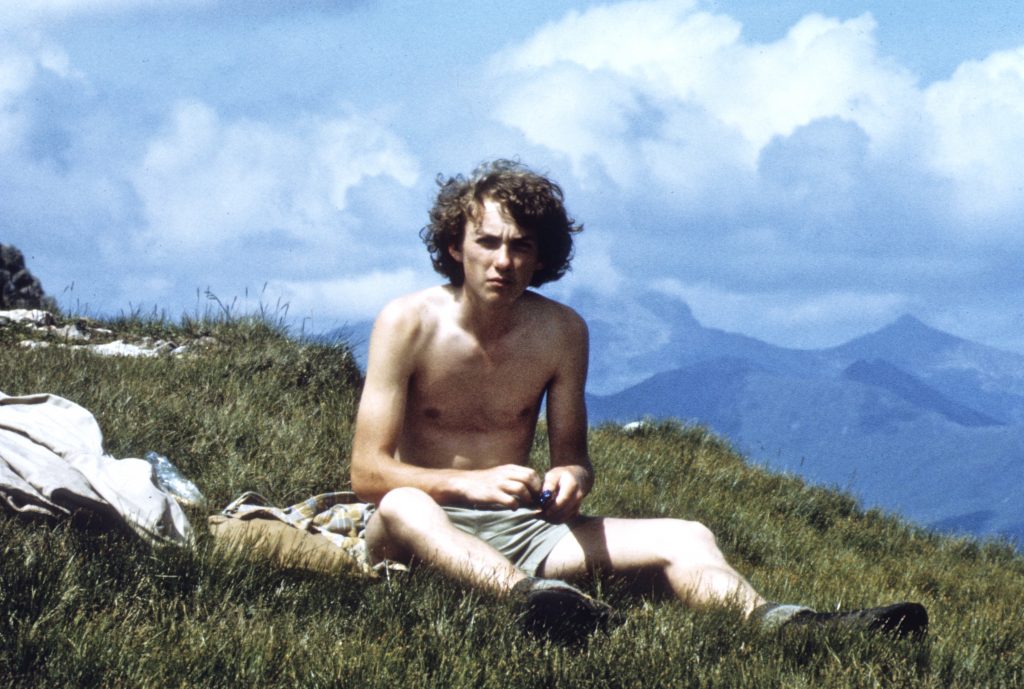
<point x="909" y="419"/>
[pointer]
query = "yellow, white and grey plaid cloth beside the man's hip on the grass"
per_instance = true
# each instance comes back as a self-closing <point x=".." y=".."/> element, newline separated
<point x="337" y="516"/>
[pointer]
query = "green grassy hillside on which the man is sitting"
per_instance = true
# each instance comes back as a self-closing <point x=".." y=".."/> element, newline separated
<point x="250" y="410"/>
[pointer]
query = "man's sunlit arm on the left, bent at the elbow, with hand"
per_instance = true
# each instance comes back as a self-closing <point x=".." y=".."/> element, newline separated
<point x="397" y="338"/>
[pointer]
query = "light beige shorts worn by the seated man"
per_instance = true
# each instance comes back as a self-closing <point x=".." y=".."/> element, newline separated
<point x="522" y="536"/>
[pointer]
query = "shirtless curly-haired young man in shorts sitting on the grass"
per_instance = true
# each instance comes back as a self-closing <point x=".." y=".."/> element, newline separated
<point x="454" y="389"/>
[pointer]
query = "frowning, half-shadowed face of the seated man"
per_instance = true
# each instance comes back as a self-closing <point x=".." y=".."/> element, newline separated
<point x="498" y="257"/>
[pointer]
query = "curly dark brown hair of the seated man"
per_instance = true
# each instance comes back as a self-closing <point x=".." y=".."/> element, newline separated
<point x="533" y="201"/>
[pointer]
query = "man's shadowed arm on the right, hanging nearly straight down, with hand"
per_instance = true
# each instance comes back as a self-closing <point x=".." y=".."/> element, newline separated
<point x="572" y="476"/>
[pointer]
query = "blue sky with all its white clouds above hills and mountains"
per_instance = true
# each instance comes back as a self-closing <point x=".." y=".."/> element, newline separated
<point x="802" y="173"/>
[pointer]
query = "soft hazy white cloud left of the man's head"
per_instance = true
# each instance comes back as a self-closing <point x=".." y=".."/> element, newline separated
<point x="205" y="183"/>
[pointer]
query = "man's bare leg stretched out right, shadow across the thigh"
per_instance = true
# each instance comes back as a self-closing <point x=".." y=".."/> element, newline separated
<point x="685" y="552"/>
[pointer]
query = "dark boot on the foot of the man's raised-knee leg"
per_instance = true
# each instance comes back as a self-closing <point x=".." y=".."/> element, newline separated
<point x="558" y="611"/>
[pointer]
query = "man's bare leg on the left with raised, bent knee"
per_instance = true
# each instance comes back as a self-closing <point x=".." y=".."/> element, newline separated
<point x="409" y="525"/>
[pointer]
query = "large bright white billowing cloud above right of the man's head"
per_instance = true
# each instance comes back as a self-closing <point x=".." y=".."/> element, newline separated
<point x="667" y="89"/>
